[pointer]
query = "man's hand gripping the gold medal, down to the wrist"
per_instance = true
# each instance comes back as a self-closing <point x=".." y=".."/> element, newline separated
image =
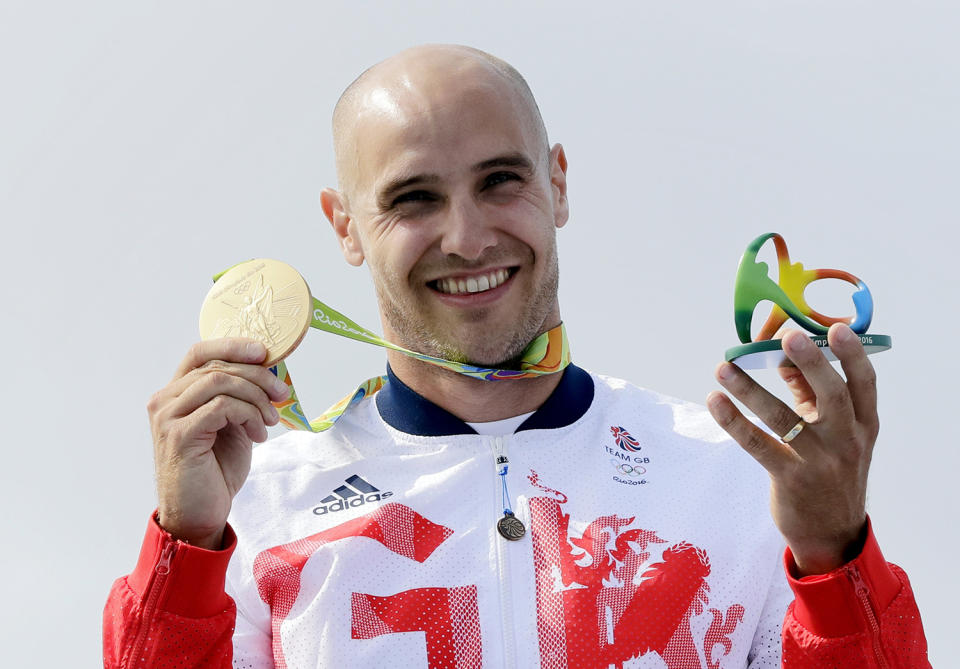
<point x="204" y="423"/>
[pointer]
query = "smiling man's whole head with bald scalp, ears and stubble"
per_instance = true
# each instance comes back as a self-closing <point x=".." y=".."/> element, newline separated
<point x="453" y="199"/>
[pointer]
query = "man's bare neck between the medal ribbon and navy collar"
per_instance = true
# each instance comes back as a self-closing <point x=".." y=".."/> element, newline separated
<point x="471" y="399"/>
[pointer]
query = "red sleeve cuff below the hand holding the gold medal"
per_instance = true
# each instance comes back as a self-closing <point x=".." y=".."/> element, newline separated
<point x="172" y="610"/>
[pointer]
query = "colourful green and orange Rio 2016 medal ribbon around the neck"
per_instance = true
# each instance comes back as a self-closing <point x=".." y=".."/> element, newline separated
<point x="547" y="354"/>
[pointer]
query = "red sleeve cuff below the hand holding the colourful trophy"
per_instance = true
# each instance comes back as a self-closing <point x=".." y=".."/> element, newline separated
<point x="862" y="614"/>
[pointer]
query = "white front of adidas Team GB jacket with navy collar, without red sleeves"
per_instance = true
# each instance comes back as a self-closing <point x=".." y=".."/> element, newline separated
<point x="648" y="540"/>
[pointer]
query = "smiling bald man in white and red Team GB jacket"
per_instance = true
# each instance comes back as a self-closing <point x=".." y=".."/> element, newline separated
<point x="643" y="532"/>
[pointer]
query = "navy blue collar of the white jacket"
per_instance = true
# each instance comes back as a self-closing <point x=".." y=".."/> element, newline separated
<point x="405" y="410"/>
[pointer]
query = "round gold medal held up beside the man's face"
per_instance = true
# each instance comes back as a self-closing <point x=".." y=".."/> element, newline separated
<point x="262" y="299"/>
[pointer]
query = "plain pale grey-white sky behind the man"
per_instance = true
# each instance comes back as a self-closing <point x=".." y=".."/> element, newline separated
<point x="146" y="145"/>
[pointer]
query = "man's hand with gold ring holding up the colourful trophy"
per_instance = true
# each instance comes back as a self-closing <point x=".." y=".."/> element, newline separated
<point x="819" y="479"/>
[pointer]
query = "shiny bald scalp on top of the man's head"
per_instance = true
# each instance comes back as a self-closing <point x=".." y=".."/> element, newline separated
<point x="416" y="81"/>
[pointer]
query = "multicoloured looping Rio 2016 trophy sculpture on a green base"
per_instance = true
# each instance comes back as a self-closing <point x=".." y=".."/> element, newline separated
<point x="754" y="285"/>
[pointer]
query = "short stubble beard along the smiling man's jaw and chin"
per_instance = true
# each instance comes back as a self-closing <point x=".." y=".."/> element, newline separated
<point x="500" y="349"/>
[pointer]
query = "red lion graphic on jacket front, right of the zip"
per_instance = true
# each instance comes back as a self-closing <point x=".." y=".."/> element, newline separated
<point x="592" y="609"/>
